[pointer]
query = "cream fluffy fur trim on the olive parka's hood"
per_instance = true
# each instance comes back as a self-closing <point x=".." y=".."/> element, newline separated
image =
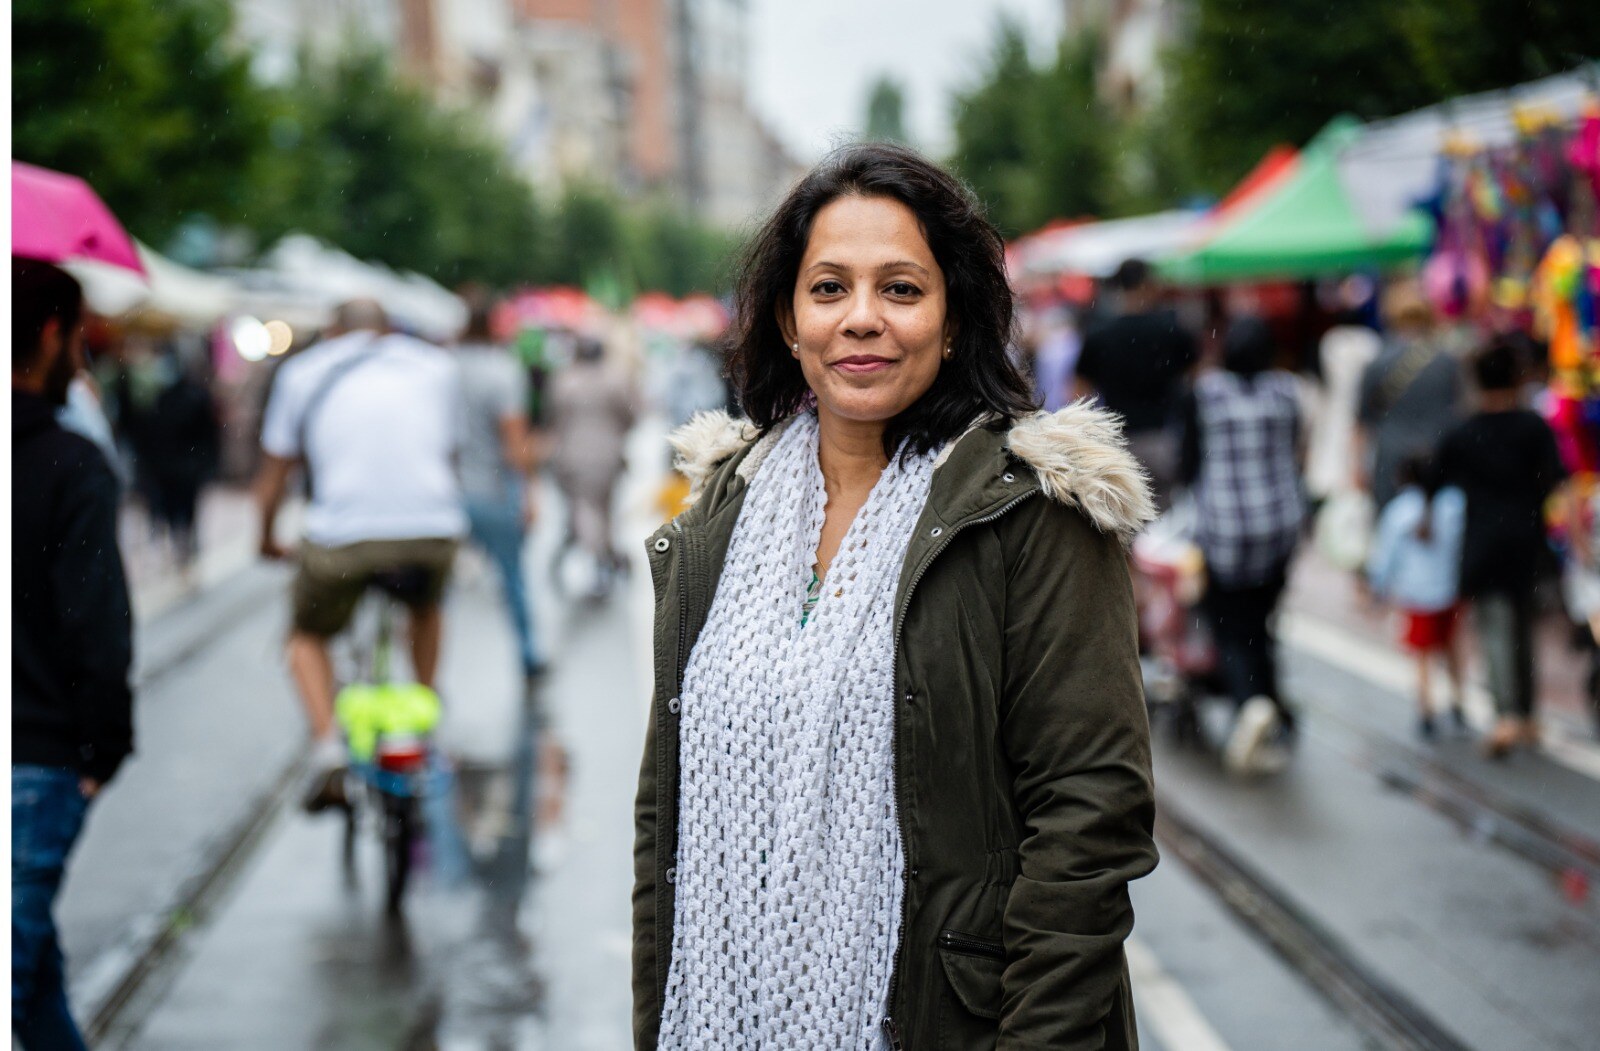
<point x="1079" y="457"/>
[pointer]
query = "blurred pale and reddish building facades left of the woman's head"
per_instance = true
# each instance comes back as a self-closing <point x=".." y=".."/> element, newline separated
<point x="638" y="97"/>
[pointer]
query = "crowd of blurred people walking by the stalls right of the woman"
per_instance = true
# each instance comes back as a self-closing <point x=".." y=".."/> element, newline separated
<point x="1407" y="450"/>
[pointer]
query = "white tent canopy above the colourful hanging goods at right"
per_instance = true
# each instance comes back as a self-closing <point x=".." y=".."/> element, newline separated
<point x="1394" y="164"/>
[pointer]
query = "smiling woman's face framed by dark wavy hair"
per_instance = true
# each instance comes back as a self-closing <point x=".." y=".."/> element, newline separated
<point x="868" y="311"/>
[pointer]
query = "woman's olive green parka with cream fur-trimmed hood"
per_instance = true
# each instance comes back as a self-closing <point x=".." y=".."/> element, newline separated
<point x="1022" y="746"/>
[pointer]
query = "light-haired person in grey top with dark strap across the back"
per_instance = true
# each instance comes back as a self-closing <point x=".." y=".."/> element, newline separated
<point x="1412" y="394"/>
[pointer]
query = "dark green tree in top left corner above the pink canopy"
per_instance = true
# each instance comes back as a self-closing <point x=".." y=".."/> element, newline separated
<point x="143" y="100"/>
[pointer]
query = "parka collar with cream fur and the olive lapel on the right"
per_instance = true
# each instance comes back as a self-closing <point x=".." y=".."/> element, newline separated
<point x="1076" y="457"/>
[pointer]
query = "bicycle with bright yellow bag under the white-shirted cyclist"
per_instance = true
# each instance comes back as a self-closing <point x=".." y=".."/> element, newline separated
<point x="388" y="730"/>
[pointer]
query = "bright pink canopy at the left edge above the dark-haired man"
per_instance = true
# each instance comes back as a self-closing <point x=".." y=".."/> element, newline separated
<point x="58" y="218"/>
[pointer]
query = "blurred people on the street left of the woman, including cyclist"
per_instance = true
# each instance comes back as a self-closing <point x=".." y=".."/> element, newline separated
<point x="385" y="506"/>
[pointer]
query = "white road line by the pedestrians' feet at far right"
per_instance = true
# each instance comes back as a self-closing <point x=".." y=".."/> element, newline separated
<point x="1394" y="671"/>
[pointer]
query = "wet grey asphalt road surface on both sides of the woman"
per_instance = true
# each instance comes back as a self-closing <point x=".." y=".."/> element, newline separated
<point x="519" y="940"/>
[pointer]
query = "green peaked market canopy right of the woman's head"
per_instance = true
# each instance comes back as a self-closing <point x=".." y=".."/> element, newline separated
<point x="1303" y="228"/>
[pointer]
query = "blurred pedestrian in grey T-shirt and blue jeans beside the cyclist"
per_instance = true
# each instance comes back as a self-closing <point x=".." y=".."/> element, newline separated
<point x="497" y="465"/>
